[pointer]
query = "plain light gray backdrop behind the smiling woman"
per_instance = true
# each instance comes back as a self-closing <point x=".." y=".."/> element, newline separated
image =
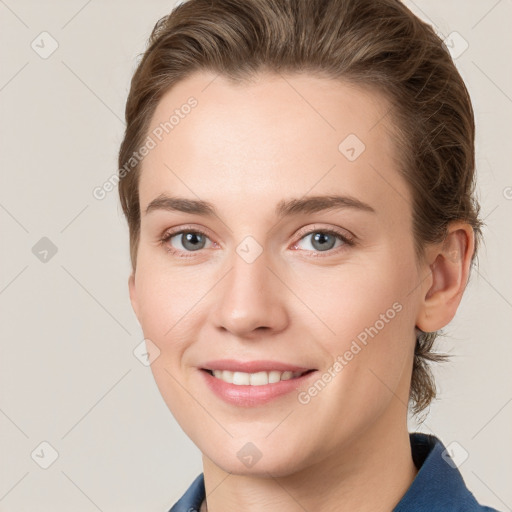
<point x="68" y="375"/>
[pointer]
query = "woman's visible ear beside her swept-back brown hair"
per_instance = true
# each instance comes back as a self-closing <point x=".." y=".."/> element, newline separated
<point x="449" y="263"/>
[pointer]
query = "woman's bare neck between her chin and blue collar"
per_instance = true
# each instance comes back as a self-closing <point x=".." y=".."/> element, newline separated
<point x="369" y="473"/>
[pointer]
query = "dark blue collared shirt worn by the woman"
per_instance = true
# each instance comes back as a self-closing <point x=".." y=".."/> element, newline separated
<point x="438" y="486"/>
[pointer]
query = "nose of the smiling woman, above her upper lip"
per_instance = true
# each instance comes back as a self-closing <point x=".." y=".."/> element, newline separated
<point x="251" y="299"/>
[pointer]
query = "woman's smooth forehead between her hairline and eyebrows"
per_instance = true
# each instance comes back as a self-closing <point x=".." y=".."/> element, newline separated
<point x="275" y="136"/>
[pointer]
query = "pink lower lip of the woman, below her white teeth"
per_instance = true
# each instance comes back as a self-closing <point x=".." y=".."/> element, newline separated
<point x="249" y="396"/>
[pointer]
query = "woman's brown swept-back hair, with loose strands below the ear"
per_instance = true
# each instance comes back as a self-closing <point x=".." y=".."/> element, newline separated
<point x="375" y="44"/>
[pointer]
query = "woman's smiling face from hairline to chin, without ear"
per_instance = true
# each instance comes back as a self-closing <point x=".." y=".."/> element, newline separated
<point x="264" y="274"/>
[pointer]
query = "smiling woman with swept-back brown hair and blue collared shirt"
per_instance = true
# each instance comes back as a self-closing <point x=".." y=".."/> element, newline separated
<point x="297" y="176"/>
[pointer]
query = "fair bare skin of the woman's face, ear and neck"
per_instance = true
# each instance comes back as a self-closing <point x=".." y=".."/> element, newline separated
<point x="244" y="148"/>
